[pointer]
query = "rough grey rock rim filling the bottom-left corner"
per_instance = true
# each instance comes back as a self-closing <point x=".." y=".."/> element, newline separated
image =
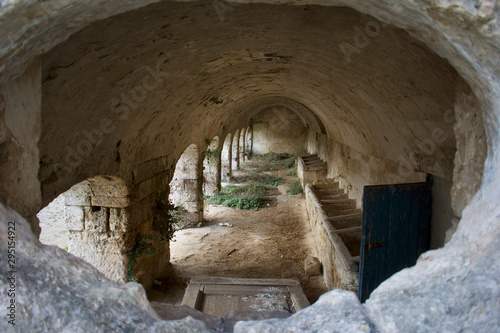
<point x="57" y="292"/>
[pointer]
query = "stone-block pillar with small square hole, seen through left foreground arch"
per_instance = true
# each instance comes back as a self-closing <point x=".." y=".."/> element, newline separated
<point x="100" y="226"/>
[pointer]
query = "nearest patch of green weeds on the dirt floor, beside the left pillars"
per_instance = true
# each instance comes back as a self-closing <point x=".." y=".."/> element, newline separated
<point x="249" y="196"/>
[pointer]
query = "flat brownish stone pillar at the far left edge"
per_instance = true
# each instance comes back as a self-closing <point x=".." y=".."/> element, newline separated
<point x="20" y="128"/>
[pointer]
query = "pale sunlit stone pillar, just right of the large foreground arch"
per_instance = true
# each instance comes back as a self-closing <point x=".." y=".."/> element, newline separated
<point x="186" y="188"/>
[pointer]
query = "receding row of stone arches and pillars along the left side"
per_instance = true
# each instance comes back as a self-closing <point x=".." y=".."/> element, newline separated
<point x="105" y="227"/>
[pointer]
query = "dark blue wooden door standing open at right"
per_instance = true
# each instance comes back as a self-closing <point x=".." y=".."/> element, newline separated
<point x="395" y="231"/>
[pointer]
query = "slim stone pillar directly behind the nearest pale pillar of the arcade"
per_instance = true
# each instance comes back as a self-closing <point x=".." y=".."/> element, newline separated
<point x="212" y="168"/>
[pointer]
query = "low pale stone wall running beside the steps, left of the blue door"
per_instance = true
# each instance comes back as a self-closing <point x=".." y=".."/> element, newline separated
<point x="339" y="272"/>
